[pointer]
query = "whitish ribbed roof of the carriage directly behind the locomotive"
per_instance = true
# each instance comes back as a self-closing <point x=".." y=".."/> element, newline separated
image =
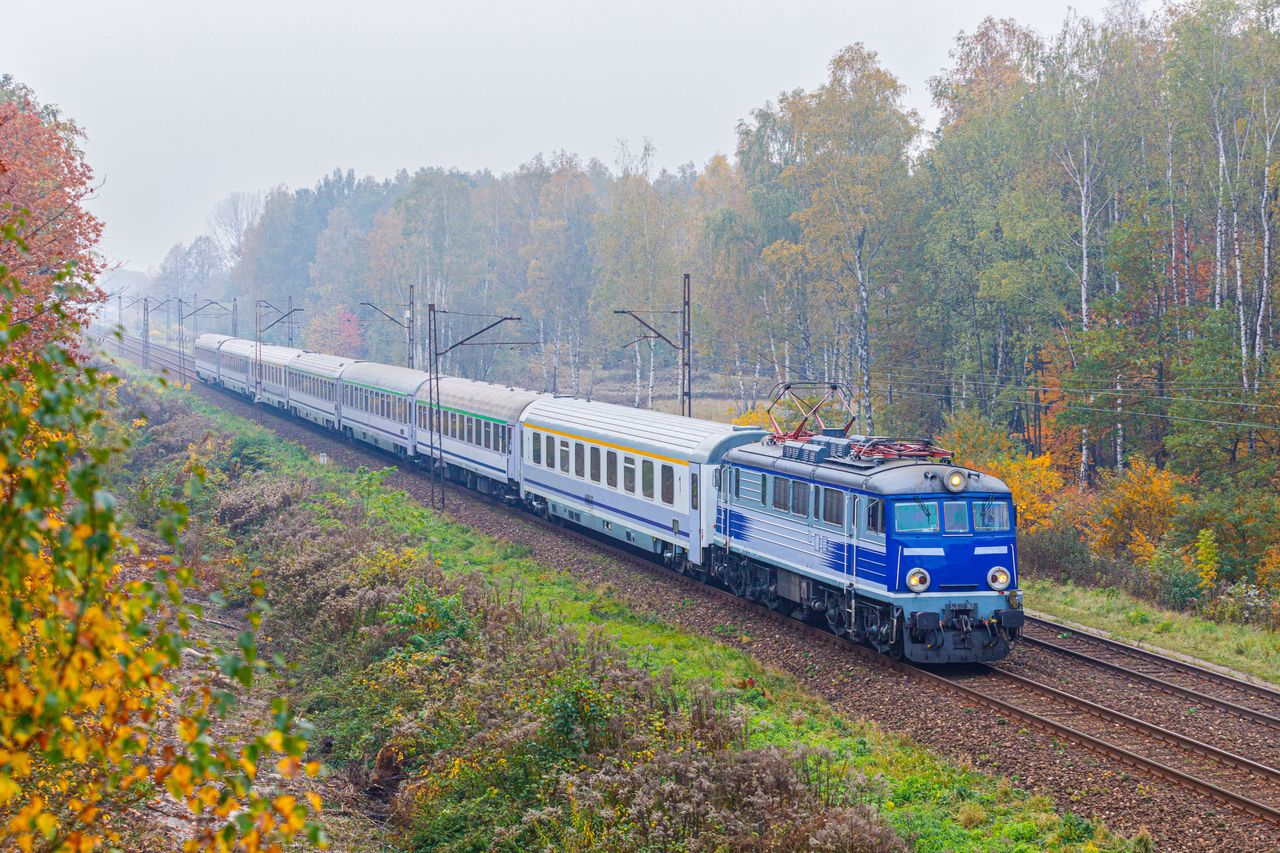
<point x="651" y="432"/>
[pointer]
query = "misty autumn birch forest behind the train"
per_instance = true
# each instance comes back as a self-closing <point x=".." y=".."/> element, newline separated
<point x="1078" y="258"/>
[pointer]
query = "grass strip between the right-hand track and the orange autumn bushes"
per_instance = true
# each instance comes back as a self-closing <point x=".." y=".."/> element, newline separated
<point x="1241" y="647"/>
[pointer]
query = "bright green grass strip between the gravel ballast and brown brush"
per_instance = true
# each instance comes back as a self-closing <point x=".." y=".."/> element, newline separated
<point x="924" y="797"/>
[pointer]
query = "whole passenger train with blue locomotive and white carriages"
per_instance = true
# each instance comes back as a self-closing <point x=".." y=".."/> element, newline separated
<point x="885" y="541"/>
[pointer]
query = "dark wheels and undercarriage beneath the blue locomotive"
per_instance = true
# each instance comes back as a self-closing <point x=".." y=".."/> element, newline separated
<point x="956" y="636"/>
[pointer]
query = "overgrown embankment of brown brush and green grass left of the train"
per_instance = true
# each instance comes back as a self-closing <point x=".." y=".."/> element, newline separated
<point x="515" y="687"/>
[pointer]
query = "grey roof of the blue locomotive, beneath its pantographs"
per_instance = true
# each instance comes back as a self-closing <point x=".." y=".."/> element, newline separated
<point x="889" y="477"/>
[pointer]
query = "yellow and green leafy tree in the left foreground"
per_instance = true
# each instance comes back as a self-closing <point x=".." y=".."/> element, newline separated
<point x="88" y="710"/>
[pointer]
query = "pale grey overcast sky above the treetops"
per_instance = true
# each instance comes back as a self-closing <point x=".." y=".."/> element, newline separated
<point x="186" y="102"/>
